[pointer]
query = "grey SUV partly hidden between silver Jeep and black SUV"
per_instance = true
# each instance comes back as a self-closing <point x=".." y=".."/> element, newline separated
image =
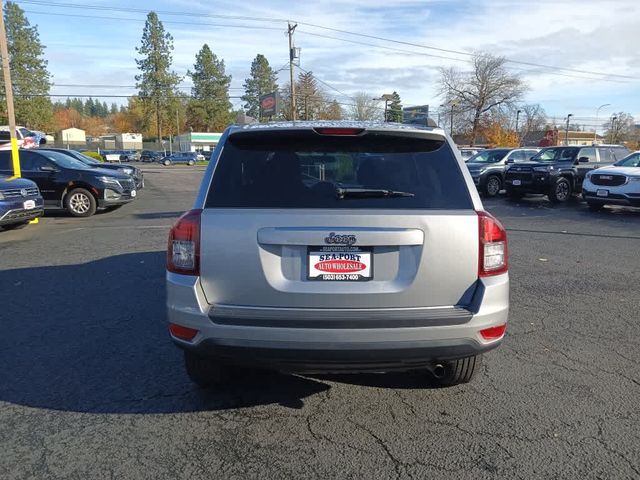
<point x="487" y="167"/>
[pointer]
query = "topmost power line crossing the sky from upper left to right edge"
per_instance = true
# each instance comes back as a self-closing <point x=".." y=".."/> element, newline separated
<point x="346" y="32"/>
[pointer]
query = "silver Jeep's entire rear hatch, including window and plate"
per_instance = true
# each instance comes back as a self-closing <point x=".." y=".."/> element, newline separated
<point x="338" y="219"/>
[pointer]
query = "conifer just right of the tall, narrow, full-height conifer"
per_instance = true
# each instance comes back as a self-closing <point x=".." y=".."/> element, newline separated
<point x="210" y="108"/>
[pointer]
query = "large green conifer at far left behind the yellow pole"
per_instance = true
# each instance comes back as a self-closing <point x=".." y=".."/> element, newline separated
<point x="29" y="75"/>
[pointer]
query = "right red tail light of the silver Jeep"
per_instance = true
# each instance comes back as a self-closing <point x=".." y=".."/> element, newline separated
<point x="493" y="258"/>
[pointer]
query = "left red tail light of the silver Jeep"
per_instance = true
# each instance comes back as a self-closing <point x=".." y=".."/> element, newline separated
<point x="183" y="252"/>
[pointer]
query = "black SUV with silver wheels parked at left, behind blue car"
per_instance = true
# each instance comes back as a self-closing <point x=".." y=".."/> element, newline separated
<point x="69" y="183"/>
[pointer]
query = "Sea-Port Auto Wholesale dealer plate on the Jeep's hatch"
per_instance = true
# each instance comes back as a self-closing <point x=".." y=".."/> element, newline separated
<point x="340" y="264"/>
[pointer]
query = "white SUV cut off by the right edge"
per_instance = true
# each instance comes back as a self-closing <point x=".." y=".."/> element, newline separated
<point x="615" y="185"/>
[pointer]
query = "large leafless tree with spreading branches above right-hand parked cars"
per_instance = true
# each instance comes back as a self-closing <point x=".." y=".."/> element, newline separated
<point x="488" y="86"/>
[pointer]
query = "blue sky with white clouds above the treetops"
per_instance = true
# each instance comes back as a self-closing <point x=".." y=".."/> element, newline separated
<point x="94" y="46"/>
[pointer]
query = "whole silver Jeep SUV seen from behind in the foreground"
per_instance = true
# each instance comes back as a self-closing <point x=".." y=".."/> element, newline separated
<point x="336" y="247"/>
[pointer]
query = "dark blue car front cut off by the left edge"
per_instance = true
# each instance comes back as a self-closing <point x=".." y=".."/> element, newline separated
<point x="20" y="202"/>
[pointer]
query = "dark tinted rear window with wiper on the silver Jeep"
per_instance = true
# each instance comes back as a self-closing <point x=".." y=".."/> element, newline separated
<point x="301" y="169"/>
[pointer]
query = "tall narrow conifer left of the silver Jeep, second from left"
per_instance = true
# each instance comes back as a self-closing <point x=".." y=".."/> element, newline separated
<point x="156" y="82"/>
